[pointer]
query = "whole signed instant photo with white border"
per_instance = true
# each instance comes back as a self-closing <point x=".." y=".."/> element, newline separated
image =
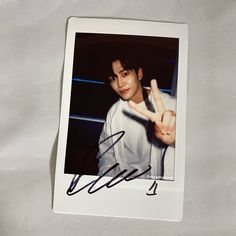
<point x="121" y="147"/>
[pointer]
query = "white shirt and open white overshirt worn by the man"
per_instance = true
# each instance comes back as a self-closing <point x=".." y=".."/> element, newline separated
<point x="136" y="149"/>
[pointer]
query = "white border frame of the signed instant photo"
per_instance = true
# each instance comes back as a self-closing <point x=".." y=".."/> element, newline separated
<point x="128" y="199"/>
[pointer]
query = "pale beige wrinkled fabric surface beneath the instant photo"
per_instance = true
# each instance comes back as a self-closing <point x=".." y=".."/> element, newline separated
<point x="32" y="40"/>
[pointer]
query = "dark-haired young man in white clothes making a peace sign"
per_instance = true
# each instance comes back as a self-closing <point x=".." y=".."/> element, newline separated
<point x="147" y="117"/>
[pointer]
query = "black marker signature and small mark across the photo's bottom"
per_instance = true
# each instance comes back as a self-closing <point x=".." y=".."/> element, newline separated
<point x="93" y="185"/>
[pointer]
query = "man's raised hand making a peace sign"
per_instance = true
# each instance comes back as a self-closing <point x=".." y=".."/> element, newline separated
<point x="163" y="119"/>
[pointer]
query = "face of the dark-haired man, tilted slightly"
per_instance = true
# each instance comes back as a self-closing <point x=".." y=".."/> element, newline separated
<point x="126" y="83"/>
